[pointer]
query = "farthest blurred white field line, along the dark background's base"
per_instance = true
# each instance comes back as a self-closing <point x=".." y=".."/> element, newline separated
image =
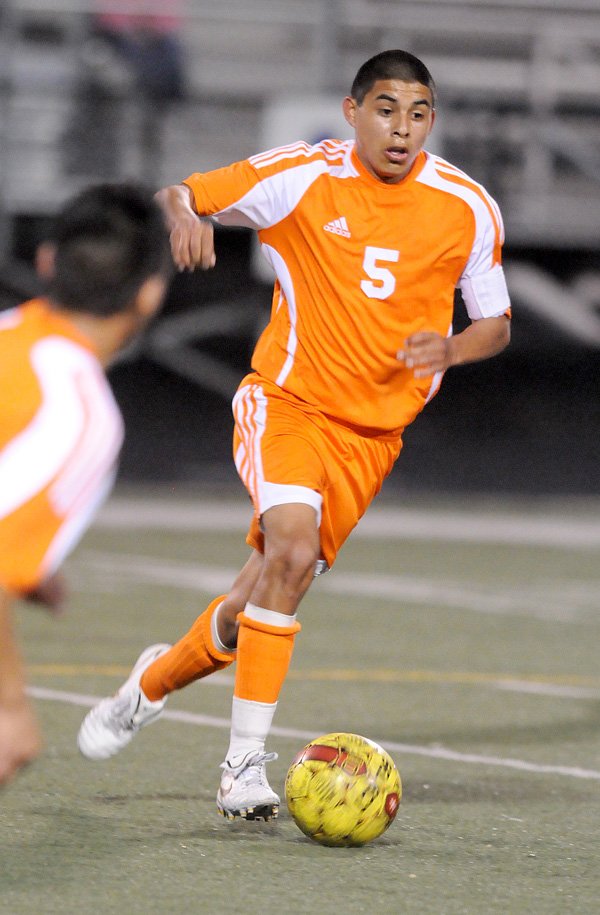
<point x="550" y="528"/>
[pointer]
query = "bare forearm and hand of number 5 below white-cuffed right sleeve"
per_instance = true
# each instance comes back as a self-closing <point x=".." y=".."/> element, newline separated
<point x="427" y="352"/>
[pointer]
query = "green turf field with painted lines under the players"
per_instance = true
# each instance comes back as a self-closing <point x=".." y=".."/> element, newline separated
<point x="465" y="640"/>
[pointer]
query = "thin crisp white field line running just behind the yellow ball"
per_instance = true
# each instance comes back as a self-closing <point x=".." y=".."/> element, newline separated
<point x="400" y="748"/>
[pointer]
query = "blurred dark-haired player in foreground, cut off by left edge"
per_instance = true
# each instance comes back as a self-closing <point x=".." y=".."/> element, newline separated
<point x="106" y="268"/>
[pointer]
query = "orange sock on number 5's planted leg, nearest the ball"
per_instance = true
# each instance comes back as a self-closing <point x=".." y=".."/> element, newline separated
<point x="263" y="657"/>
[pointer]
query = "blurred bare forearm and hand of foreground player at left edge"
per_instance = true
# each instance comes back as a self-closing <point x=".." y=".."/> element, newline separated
<point x="20" y="740"/>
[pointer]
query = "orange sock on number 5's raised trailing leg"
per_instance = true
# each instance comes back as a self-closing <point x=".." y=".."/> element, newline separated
<point x="191" y="658"/>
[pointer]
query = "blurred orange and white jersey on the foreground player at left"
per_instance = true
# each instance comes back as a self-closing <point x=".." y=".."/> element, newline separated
<point x="60" y="435"/>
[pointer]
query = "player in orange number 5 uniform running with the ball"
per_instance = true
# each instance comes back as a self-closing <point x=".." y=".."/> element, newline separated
<point x="368" y="240"/>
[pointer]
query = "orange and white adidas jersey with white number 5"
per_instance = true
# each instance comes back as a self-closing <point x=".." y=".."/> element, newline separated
<point x="360" y="265"/>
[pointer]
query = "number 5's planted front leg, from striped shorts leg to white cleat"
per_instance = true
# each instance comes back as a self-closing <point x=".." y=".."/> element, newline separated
<point x="277" y="450"/>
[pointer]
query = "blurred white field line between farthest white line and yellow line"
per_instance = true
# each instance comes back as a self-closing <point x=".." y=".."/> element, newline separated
<point x="551" y="603"/>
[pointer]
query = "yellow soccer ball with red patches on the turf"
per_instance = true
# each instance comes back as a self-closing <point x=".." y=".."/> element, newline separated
<point x="342" y="789"/>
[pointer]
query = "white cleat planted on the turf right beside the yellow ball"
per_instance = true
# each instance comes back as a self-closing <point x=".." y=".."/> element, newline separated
<point x="245" y="791"/>
